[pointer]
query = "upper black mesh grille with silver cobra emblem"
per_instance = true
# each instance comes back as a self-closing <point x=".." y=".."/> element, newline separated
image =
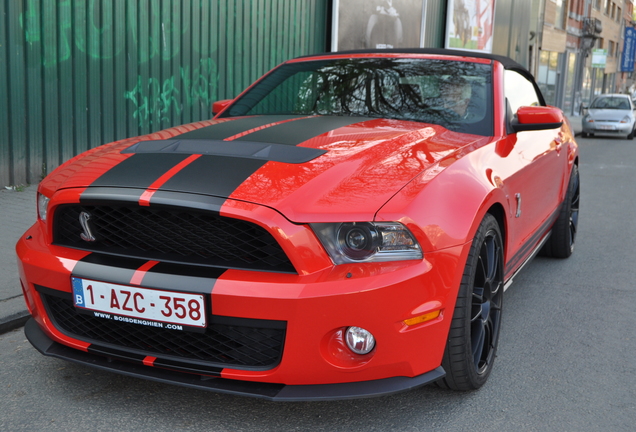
<point x="171" y="234"/>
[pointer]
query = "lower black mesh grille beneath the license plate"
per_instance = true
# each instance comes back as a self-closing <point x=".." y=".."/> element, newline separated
<point x="256" y="345"/>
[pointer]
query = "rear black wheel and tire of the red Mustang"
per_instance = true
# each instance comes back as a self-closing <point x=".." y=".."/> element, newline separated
<point x="561" y="241"/>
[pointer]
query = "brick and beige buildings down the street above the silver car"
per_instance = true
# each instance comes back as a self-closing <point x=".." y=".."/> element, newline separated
<point x="582" y="43"/>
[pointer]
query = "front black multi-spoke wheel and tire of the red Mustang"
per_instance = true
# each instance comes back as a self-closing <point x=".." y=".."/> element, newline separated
<point x="474" y="333"/>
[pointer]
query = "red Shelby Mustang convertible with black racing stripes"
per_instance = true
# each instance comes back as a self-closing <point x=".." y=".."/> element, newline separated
<point x="345" y="227"/>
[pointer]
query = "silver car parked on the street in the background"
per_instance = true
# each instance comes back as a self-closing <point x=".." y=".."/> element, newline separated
<point x="610" y="114"/>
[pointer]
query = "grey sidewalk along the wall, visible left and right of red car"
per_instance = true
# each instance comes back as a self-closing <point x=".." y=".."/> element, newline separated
<point x="17" y="214"/>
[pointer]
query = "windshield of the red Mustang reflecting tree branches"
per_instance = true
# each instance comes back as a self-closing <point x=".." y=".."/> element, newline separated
<point x="454" y="94"/>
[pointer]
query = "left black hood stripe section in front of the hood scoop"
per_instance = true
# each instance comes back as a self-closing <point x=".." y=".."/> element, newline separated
<point x="139" y="170"/>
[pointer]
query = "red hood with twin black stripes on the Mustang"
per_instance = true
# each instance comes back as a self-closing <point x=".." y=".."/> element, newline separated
<point x="310" y="169"/>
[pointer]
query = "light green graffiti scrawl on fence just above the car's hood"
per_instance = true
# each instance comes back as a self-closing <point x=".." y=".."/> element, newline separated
<point x="156" y="101"/>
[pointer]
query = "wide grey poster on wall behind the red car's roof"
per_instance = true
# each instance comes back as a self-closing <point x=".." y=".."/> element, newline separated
<point x="377" y="24"/>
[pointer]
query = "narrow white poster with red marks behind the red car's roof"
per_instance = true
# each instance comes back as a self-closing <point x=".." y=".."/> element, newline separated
<point x="470" y="25"/>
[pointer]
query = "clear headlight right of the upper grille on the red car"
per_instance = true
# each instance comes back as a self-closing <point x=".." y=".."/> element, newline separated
<point x="367" y="241"/>
